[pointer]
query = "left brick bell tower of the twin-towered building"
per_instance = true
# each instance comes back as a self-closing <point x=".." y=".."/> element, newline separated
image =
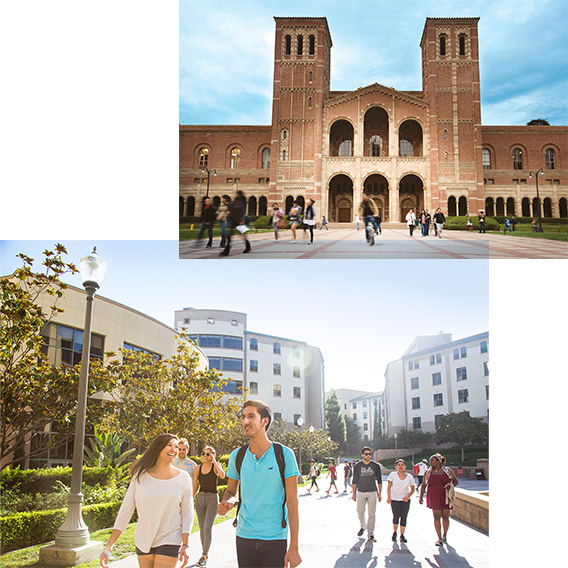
<point x="301" y="84"/>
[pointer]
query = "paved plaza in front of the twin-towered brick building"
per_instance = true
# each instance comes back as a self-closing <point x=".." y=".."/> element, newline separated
<point x="394" y="243"/>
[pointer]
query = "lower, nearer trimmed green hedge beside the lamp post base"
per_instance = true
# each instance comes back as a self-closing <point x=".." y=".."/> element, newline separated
<point x="29" y="528"/>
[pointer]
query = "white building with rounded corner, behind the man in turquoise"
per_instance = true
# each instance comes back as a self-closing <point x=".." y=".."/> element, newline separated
<point x="287" y="374"/>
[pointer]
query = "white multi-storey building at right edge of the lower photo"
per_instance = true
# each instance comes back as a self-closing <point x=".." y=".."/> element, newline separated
<point x="436" y="376"/>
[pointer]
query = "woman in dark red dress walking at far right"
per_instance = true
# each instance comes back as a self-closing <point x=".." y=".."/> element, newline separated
<point x="439" y="482"/>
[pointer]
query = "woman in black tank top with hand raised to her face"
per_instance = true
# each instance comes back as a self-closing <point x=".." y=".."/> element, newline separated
<point x="205" y="478"/>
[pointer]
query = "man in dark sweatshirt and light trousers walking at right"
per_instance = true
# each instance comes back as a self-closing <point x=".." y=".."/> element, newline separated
<point x="367" y="487"/>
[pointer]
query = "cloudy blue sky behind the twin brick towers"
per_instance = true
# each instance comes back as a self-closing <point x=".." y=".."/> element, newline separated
<point x="227" y="51"/>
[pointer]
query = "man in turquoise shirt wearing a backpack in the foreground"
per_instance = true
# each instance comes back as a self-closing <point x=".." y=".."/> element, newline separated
<point x="268" y="497"/>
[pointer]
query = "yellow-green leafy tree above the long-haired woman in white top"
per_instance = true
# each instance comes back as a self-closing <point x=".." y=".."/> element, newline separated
<point x="171" y="395"/>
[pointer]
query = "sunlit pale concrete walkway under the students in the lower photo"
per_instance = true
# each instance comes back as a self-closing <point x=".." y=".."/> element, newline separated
<point x="328" y="537"/>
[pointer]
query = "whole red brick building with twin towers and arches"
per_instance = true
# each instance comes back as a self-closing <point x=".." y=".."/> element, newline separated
<point x="419" y="149"/>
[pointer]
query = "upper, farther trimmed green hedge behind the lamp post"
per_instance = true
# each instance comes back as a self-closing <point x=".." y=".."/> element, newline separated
<point x="43" y="480"/>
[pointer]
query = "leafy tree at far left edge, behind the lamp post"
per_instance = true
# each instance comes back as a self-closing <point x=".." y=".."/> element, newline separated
<point x="33" y="393"/>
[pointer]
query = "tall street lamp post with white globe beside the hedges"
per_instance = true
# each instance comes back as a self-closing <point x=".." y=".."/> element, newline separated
<point x="73" y="533"/>
